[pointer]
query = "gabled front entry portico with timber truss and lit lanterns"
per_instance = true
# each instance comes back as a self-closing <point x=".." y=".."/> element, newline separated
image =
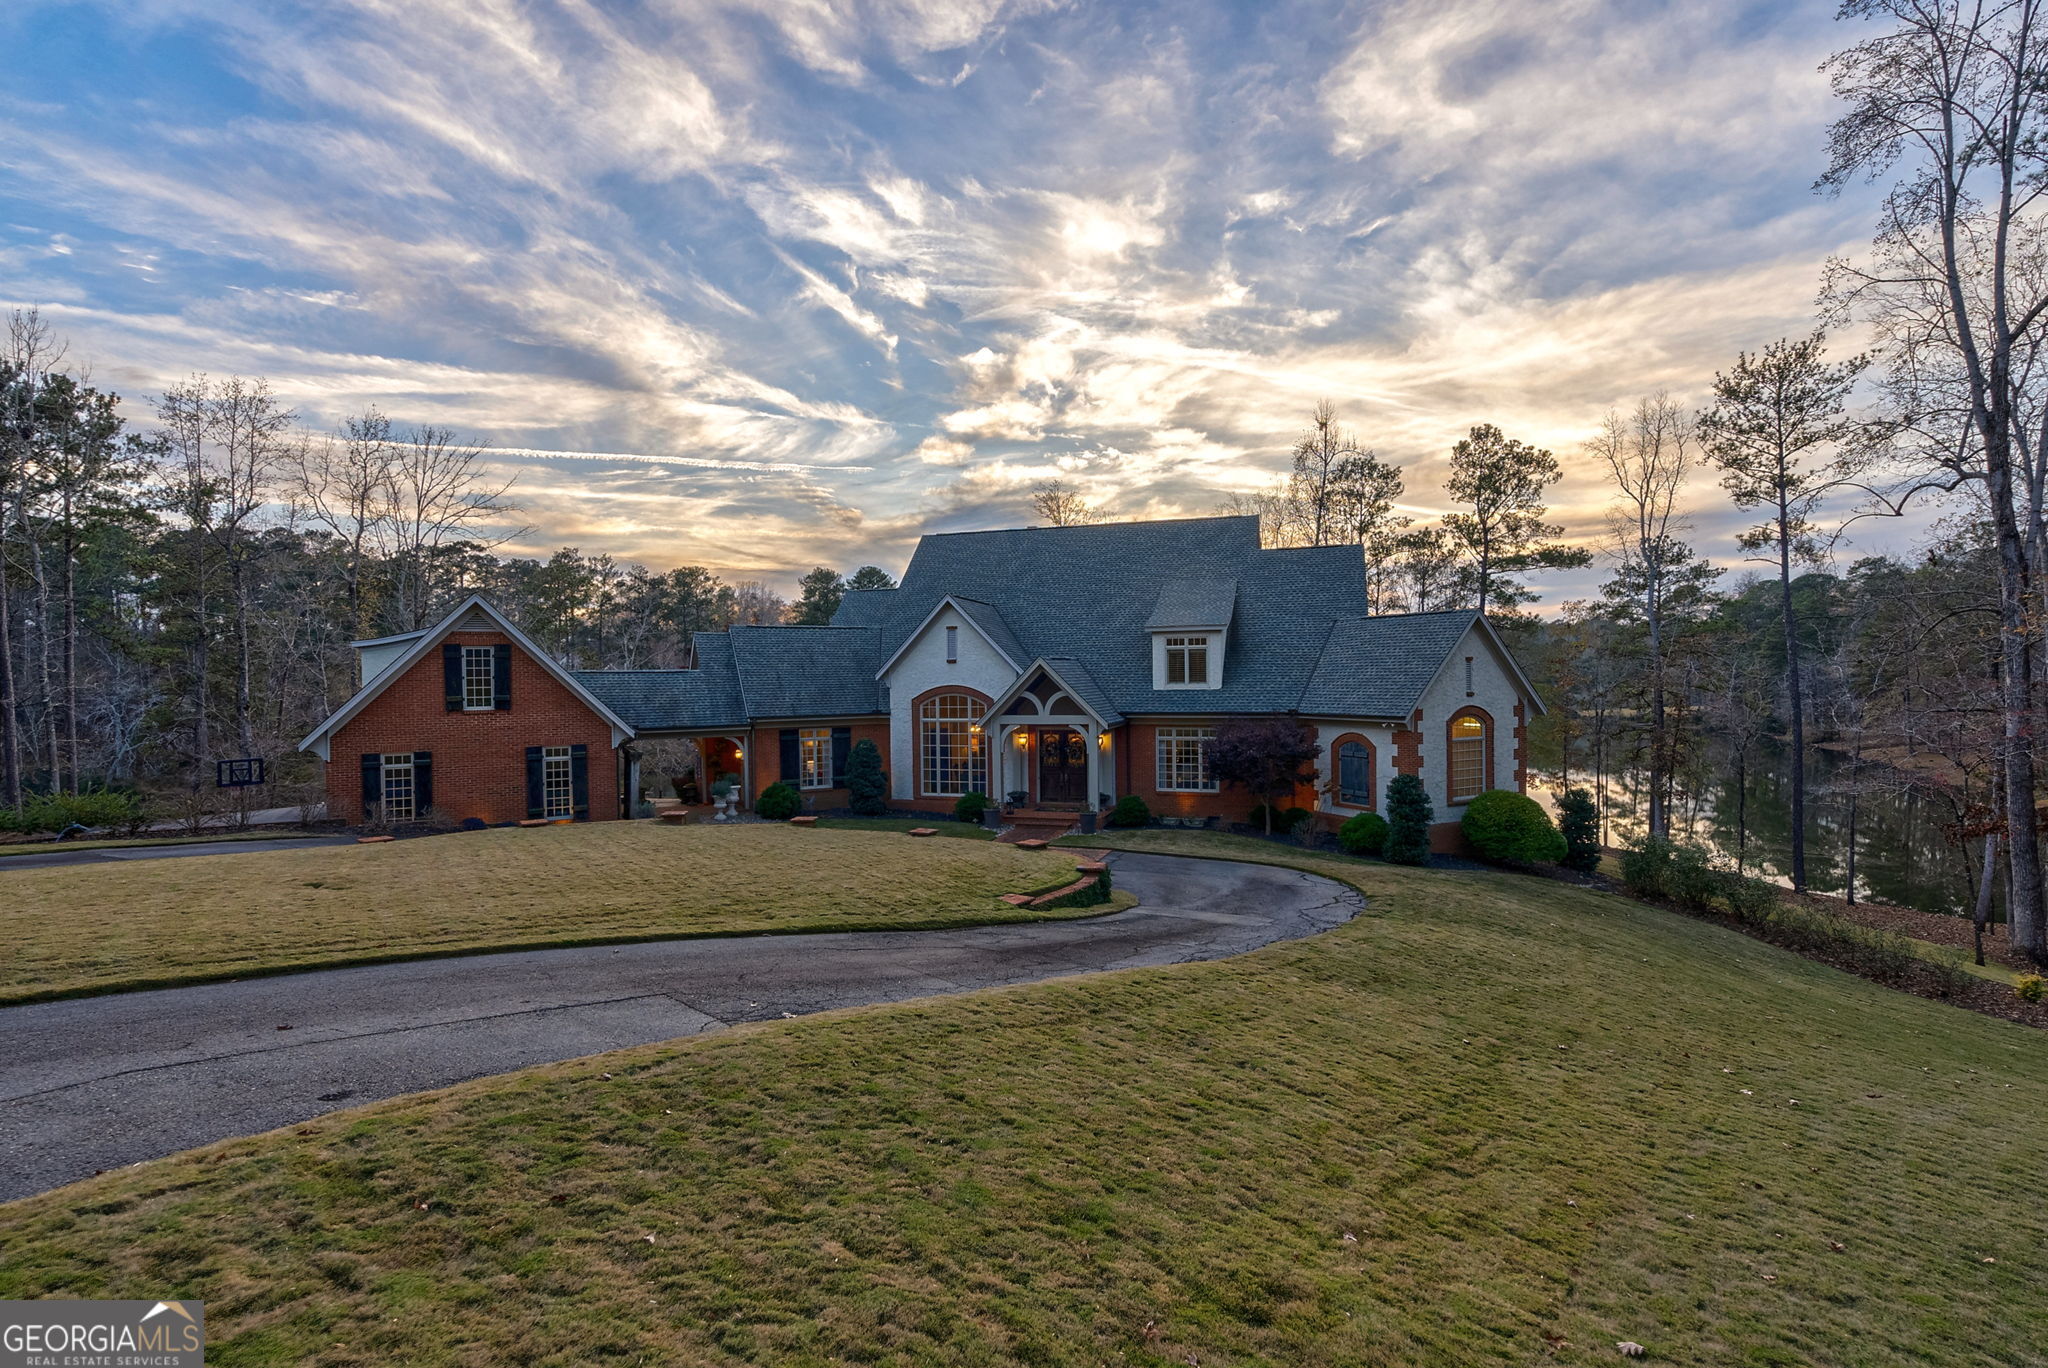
<point x="1052" y="740"/>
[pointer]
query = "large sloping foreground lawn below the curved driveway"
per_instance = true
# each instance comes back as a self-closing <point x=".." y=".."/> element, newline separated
<point x="1494" y="1121"/>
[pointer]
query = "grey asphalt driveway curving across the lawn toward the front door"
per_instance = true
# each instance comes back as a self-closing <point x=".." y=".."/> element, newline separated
<point x="101" y="1082"/>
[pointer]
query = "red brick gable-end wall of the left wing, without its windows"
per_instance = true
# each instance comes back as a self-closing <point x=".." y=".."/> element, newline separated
<point x="480" y="759"/>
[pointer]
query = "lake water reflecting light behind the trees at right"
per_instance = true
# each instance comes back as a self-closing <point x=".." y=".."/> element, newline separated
<point x="1904" y="855"/>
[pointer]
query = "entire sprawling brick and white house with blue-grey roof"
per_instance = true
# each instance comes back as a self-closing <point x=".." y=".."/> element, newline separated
<point x="1066" y="667"/>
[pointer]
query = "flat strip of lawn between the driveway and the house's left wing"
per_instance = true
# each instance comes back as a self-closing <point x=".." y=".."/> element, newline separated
<point x="153" y="923"/>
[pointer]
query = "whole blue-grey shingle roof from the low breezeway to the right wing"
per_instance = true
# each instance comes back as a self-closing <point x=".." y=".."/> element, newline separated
<point x="1082" y="599"/>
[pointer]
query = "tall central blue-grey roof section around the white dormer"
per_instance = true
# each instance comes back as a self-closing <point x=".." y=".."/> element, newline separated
<point x="1089" y="593"/>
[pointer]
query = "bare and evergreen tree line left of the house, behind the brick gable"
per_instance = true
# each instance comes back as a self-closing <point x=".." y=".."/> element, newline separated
<point x="185" y="591"/>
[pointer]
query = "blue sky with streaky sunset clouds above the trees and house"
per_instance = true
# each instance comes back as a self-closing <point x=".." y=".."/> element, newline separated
<point x="765" y="284"/>
